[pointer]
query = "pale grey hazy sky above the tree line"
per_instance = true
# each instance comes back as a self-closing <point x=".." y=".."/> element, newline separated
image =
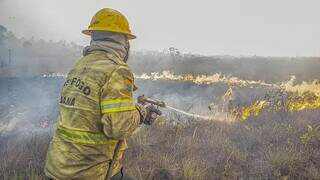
<point x="210" y="27"/>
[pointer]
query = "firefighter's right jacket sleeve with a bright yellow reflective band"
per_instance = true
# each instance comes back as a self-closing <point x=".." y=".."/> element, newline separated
<point x="119" y="114"/>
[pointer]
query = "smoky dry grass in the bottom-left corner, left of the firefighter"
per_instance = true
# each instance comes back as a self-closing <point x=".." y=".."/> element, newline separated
<point x="23" y="156"/>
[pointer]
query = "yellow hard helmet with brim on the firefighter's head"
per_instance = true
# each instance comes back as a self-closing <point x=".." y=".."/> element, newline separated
<point x="109" y="20"/>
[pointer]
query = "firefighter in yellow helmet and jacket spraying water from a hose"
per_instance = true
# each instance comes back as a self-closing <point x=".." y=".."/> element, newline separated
<point x="97" y="110"/>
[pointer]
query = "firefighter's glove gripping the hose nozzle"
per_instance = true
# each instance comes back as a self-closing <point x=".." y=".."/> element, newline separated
<point x="148" y="113"/>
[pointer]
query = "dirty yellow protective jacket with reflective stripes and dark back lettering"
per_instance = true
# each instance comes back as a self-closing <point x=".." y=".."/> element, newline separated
<point x="96" y="111"/>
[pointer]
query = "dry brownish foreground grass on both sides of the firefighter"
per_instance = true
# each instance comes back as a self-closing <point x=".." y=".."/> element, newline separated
<point x="287" y="147"/>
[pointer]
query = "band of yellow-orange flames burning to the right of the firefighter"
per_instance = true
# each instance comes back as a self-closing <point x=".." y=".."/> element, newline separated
<point x="289" y="97"/>
